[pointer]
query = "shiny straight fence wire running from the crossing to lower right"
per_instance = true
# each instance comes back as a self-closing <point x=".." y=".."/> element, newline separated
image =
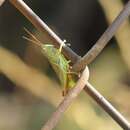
<point x="107" y="106"/>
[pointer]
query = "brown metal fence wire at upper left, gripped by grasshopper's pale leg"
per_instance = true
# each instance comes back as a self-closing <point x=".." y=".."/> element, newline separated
<point x="43" y="28"/>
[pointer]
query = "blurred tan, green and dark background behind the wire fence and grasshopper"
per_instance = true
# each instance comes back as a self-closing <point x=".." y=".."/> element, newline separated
<point x="29" y="89"/>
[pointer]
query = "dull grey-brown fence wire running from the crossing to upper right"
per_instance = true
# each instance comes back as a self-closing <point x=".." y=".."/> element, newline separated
<point x="103" y="40"/>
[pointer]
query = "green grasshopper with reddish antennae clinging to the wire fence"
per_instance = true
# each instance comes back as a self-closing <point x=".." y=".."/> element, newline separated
<point x="58" y="62"/>
